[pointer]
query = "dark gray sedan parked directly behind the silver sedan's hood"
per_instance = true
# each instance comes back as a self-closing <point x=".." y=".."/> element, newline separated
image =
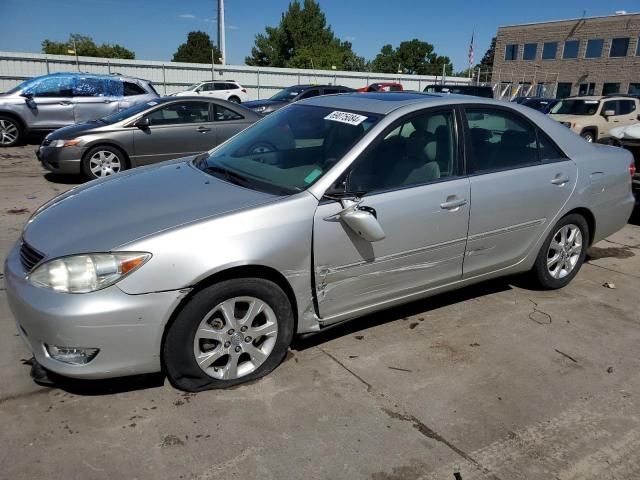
<point x="147" y="133"/>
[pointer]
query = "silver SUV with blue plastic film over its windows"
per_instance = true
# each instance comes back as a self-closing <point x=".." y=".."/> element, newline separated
<point x="43" y="104"/>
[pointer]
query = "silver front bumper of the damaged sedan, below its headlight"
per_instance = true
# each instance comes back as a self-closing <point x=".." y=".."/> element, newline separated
<point x="126" y="328"/>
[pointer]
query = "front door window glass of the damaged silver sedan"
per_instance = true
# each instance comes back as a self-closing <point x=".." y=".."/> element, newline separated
<point x="418" y="150"/>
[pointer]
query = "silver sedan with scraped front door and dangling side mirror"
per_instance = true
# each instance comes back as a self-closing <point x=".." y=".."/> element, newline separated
<point x="324" y="211"/>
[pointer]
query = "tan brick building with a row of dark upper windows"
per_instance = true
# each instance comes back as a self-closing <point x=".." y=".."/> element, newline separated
<point x="582" y="56"/>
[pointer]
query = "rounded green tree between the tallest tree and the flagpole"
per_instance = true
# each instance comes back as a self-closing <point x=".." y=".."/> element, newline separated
<point x="411" y="57"/>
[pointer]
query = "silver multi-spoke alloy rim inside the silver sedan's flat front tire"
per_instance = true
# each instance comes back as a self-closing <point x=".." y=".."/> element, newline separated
<point x="235" y="338"/>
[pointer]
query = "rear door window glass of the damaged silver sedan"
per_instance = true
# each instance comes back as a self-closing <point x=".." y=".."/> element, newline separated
<point x="502" y="140"/>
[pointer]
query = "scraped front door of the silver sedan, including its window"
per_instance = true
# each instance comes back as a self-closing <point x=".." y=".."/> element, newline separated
<point x="421" y="205"/>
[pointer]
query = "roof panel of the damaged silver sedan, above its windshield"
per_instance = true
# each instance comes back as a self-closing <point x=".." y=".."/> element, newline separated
<point x="387" y="102"/>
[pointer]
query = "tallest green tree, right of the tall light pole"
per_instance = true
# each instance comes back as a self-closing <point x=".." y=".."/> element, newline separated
<point x="303" y="40"/>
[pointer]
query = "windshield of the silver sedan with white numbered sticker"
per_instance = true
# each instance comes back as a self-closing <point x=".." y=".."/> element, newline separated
<point x="289" y="150"/>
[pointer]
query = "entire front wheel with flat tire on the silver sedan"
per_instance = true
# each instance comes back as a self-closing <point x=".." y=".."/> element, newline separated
<point x="229" y="333"/>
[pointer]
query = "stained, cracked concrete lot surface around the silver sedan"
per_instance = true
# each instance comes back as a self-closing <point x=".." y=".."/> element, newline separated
<point x="491" y="382"/>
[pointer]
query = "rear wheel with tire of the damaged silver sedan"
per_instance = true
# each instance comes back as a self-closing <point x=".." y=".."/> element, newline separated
<point x="562" y="253"/>
